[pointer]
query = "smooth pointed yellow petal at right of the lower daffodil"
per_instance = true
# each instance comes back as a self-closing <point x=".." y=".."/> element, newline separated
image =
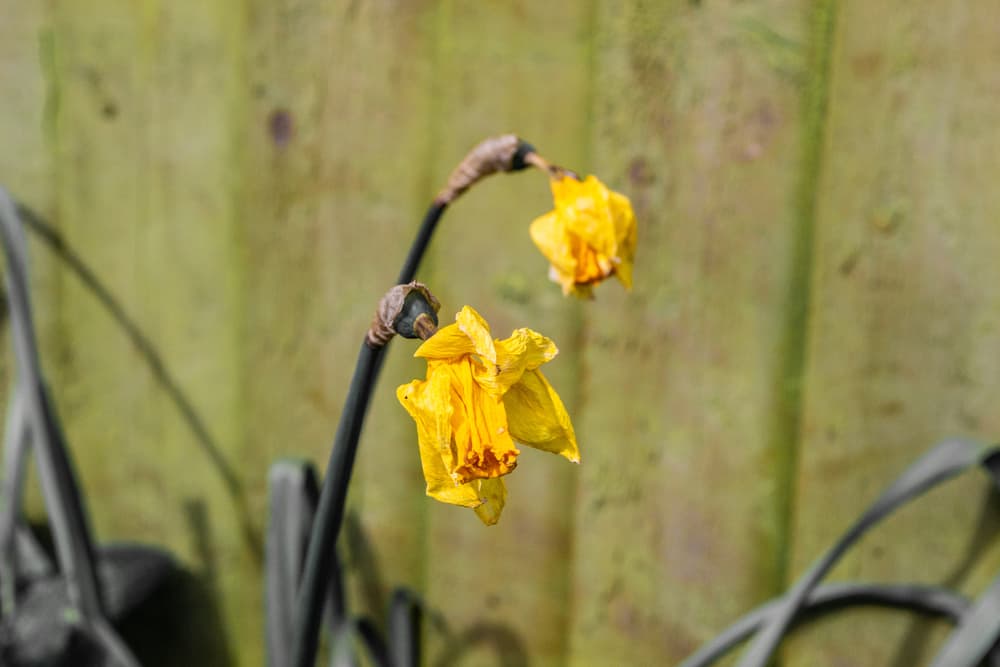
<point x="538" y="418"/>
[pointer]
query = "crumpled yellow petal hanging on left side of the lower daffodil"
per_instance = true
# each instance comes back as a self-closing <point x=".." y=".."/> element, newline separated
<point x="428" y="402"/>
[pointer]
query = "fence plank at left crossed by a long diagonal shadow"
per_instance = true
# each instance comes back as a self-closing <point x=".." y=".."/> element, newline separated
<point x="146" y="133"/>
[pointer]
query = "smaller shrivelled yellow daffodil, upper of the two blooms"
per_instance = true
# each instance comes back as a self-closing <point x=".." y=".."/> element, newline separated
<point x="588" y="236"/>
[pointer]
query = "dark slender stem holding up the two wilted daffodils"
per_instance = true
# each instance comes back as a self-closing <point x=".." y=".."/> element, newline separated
<point x="330" y="512"/>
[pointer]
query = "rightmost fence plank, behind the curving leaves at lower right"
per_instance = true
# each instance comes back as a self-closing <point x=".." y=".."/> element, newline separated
<point x="904" y="323"/>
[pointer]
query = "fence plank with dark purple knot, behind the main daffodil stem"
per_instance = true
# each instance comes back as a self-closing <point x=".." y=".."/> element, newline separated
<point x="336" y="183"/>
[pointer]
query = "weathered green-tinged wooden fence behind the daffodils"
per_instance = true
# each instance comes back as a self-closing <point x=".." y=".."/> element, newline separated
<point x="817" y="298"/>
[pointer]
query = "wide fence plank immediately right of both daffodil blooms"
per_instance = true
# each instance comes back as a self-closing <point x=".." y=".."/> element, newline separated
<point x="680" y="512"/>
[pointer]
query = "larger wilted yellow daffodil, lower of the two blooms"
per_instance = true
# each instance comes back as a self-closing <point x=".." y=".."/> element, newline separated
<point x="481" y="396"/>
